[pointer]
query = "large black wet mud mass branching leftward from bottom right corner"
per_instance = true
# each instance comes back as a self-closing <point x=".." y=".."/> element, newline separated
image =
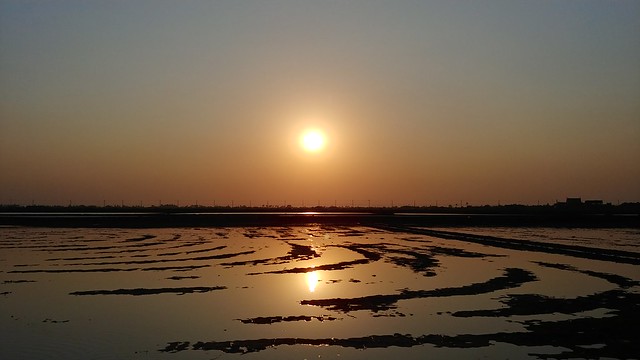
<point x="613" y="336"/>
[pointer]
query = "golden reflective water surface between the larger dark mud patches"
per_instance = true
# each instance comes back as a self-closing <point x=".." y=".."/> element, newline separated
<point x="267" y="273"/>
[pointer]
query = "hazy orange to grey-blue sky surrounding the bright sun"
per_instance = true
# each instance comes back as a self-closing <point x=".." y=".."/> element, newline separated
<point x="421" y="102"/>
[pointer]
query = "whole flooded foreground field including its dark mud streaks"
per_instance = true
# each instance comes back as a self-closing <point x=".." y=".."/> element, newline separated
<point x="302" y="292"/>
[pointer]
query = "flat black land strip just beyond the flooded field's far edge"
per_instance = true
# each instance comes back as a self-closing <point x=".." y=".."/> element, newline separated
<point x="235" y="219"/>
